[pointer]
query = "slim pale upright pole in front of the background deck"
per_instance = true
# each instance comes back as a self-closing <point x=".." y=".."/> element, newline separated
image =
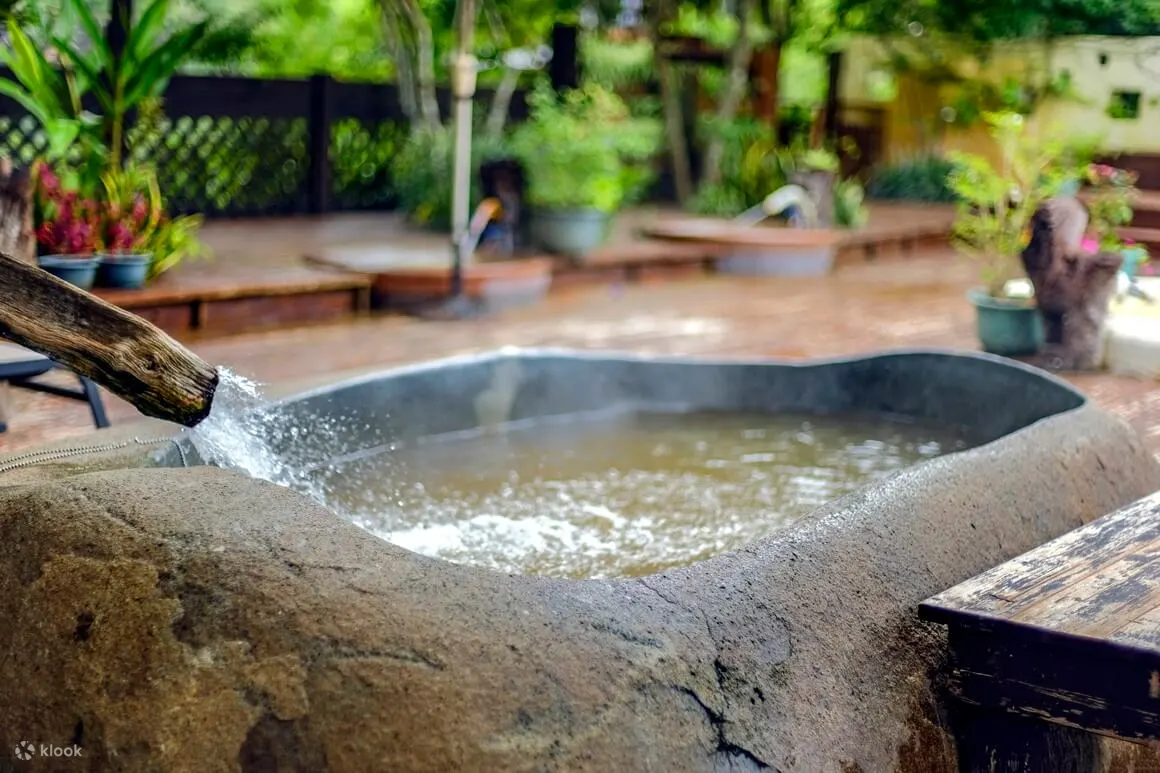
<point x="463" y="86"/>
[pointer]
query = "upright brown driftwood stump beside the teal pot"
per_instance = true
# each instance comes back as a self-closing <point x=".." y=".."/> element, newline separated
<point x="1072" y="288"/>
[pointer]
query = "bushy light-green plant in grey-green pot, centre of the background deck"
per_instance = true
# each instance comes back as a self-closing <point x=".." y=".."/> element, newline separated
<point x="585" y="156"/>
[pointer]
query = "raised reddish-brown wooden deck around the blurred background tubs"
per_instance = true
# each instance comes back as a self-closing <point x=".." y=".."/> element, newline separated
<point x="279" y="273"/>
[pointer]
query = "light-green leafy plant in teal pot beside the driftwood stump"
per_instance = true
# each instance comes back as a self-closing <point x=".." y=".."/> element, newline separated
<point x="994" y="214"/>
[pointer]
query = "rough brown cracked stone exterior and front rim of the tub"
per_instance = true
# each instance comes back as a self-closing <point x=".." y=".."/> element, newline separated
<point x="194" y="620"/>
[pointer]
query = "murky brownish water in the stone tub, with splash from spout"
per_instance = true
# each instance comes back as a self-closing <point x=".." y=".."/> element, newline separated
<point x="585" y="496"/>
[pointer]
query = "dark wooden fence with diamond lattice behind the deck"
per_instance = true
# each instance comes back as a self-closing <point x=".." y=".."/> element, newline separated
<point x="241" y="147"/>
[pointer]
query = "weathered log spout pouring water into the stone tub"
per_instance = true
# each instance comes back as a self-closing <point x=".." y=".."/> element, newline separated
<point x="120" y="351"/>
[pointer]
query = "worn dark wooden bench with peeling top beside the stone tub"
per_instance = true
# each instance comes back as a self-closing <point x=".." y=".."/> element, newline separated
<point x="1060" y="646"/>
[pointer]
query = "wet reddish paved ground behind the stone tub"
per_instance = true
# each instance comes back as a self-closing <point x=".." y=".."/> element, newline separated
<point x="891" y="304"/>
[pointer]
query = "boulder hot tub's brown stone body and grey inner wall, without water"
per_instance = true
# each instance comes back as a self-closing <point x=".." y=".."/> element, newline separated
<point x="248" y="624"/>
